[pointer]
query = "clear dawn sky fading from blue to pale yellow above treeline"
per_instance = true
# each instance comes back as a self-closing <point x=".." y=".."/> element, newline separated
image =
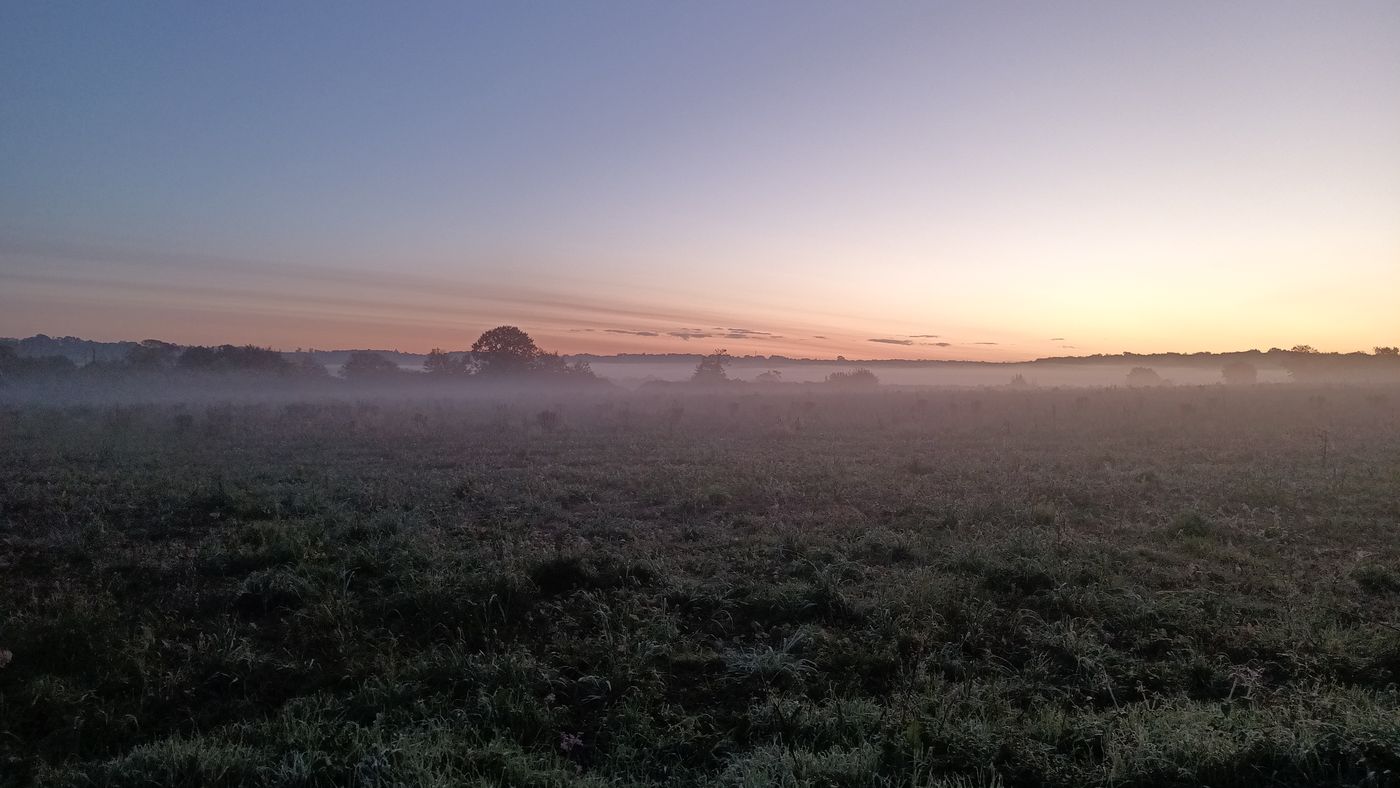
<point x="986" y="181"/>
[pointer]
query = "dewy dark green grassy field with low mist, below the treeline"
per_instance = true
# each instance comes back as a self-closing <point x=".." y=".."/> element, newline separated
<point x="958" y="589"/>
